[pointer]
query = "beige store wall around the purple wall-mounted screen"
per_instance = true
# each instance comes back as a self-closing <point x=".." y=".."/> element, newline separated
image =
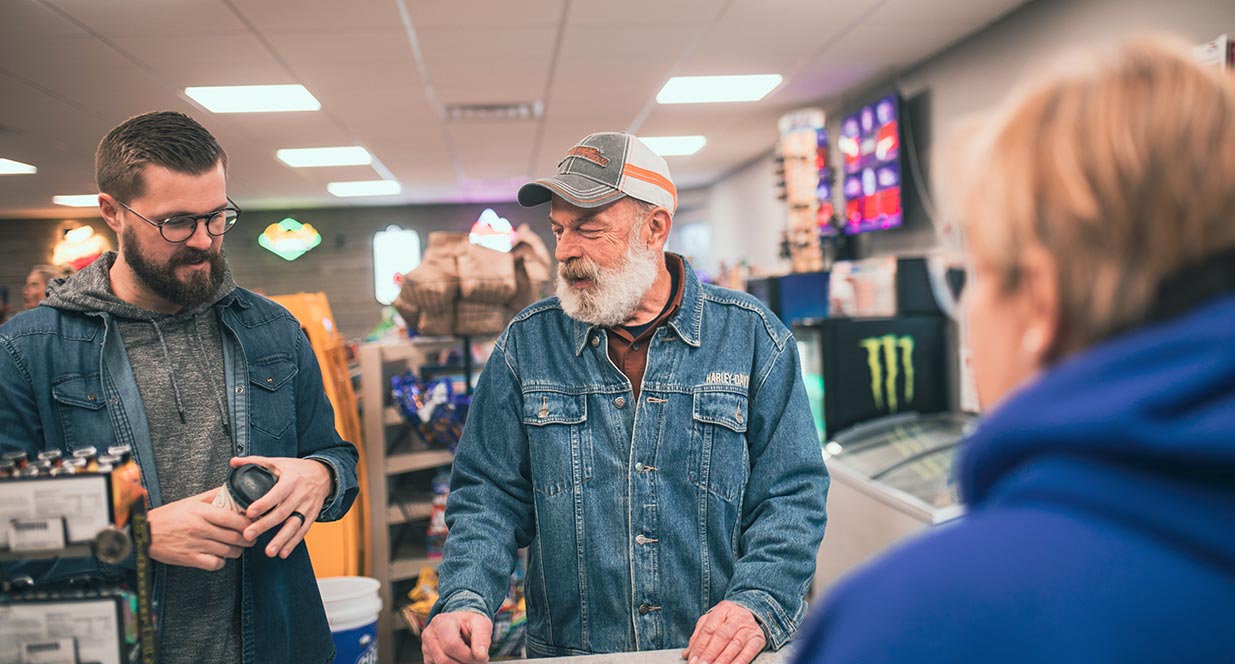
<point x="969" y="77"/>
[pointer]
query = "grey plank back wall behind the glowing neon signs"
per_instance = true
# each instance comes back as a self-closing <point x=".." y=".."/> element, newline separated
<point x="341" y="266"/>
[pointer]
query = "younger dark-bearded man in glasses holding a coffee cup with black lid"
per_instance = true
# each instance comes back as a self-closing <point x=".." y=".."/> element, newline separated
<point x="156" y="349"/>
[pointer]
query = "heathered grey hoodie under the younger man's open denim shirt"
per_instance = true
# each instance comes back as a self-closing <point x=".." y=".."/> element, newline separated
<point x="178" y="365"/>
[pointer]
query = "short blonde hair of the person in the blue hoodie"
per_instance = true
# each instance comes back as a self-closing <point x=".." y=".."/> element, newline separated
<point x="1122" y="168"/>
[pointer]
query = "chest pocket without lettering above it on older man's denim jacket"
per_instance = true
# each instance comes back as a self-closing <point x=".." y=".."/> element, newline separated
<point x="559" y="440"/>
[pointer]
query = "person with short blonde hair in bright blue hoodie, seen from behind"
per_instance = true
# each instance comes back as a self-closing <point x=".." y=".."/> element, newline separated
<point x="1100" y="213"/>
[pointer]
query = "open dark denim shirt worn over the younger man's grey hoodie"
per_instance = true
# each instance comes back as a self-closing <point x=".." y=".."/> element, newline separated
<point x="66" y="383"/>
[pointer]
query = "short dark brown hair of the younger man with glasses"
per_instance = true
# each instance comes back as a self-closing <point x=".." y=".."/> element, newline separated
<point x="167" y="139"/>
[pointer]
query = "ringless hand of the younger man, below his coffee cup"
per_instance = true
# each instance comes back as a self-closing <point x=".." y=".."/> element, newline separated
<point x="195" y="534"/>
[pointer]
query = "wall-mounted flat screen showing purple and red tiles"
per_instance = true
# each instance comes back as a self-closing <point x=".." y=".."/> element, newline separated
<point x="870" y="146"/>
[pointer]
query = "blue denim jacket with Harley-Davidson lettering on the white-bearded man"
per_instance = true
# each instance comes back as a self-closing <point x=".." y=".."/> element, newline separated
<point x="639" y="518"/>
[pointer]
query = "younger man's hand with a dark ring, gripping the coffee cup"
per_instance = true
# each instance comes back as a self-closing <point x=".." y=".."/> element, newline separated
<point x="295" y="502"/>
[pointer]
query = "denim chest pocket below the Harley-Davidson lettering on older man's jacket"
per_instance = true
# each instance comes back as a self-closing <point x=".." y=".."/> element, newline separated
<point x="719" y="457"/>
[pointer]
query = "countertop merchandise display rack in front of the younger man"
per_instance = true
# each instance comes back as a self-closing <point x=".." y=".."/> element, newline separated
<point x="78" y="619"/>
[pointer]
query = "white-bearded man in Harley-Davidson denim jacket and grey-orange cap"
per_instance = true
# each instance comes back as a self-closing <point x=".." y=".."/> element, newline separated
<point x="647" y="436"/>
